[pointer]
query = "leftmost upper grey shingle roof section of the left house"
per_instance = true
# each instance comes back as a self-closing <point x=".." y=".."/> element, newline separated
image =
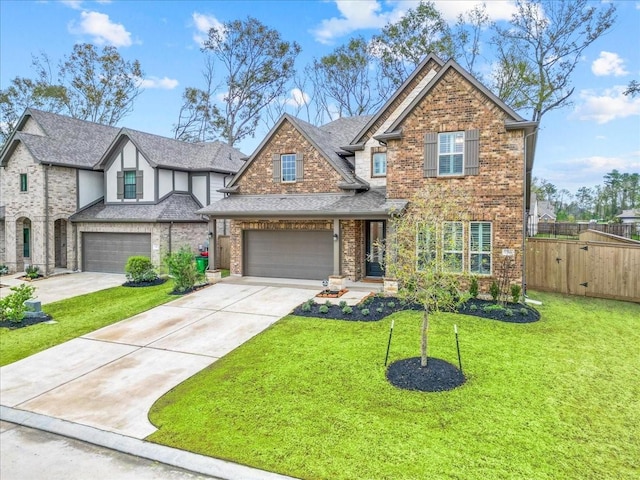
<point x="67" y="141"/>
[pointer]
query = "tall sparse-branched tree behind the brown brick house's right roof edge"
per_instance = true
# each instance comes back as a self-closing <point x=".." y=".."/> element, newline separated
<point x="540" y="48"/>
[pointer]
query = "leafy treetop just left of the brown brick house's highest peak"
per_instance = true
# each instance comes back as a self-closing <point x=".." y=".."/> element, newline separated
<point x="401" y="46"/>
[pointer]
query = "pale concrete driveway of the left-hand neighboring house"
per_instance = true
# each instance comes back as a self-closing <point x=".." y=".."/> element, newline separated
<point x="60" y="287"/>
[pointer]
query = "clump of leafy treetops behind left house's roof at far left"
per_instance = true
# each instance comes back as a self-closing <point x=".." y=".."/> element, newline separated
<point x="87" y="84"/>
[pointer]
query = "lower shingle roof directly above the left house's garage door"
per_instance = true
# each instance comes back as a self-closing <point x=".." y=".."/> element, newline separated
<point x="178" y="207"/>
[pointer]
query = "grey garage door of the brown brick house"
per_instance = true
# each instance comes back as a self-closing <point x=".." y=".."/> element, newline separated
<point x="288" y="254"/>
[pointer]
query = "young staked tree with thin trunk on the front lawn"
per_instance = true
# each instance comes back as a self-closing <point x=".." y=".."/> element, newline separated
<point x="421" y="253"/>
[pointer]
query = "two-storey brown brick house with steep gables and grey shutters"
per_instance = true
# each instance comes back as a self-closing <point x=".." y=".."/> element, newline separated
<point x="311" y="202"/>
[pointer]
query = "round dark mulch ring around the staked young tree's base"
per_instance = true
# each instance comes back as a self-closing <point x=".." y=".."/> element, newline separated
<point x="438" y="376"/>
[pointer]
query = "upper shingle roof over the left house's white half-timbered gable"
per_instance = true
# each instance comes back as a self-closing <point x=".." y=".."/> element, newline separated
<point x="167" y="152"/>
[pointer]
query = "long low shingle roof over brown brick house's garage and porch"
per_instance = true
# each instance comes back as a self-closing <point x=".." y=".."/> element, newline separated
<point x="367" y="204"/>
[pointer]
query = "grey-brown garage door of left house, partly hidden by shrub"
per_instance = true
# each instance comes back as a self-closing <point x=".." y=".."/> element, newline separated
<point x="108" y="252"/>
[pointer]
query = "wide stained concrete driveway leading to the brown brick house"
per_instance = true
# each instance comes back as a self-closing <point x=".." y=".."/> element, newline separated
<point x="108" y="379"/>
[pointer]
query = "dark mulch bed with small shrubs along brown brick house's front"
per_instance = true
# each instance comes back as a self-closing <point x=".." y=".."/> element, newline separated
<point x="379" y="307"/>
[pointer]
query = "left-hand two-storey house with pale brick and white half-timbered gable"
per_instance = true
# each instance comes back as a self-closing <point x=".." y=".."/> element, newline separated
<point x="80" y="195"/>
